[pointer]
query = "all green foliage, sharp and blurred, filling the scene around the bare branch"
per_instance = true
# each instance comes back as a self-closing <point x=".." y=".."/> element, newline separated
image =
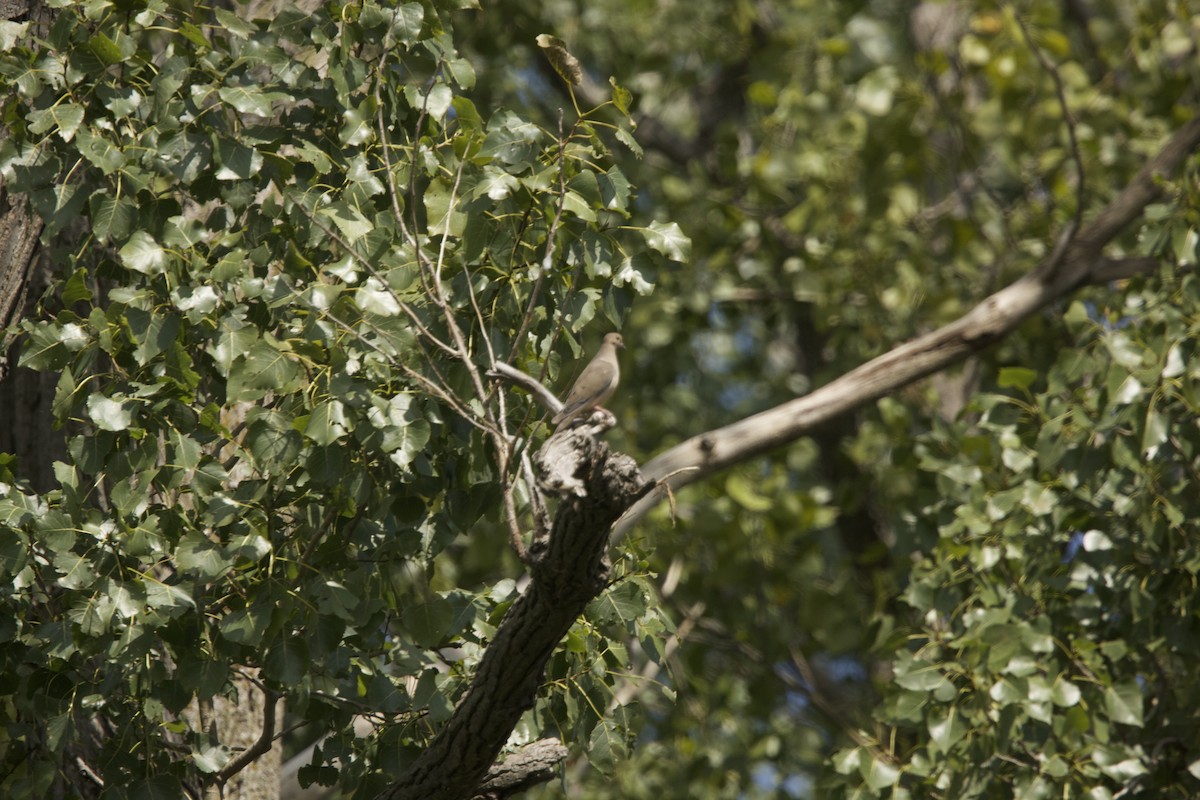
<point x="291" y="248"/>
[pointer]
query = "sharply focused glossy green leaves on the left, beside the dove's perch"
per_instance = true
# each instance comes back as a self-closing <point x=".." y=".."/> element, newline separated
<point x="290" y="249"/>
